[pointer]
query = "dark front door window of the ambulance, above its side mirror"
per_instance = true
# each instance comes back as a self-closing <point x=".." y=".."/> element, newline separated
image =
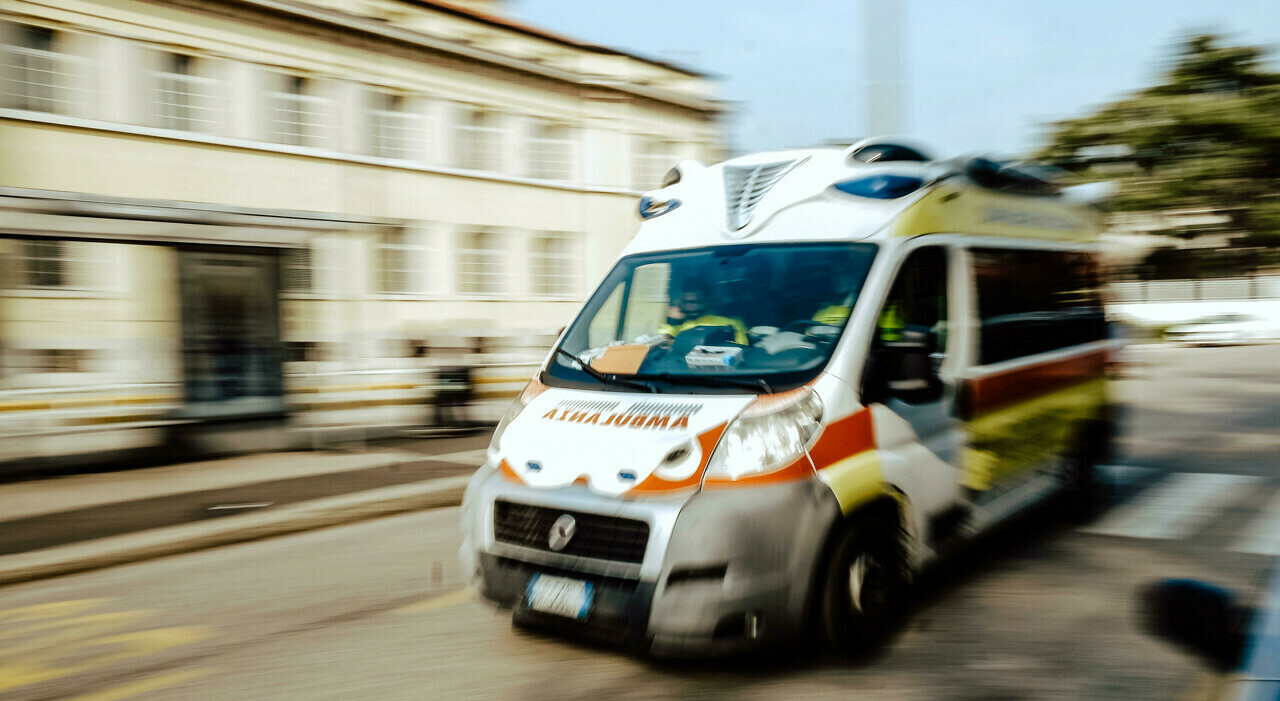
<point x="918" y="299"/>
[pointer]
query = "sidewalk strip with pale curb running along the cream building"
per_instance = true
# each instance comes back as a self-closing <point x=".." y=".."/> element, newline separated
<point x="74" y="524"/>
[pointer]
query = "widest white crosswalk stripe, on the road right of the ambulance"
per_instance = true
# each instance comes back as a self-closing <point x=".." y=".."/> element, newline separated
<point x="1176" y="507"/>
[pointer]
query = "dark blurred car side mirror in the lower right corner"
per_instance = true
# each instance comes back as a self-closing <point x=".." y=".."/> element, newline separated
<point x="1199" y="617"/>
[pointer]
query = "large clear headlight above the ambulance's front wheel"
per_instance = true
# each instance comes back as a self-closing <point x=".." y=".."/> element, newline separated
<point x="771" y="434"/>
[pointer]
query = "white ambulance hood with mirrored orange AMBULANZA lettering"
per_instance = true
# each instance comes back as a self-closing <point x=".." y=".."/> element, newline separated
<point x="616" y="445"/>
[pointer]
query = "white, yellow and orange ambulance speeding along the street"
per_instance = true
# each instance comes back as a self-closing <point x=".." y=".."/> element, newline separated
<point x="810" y="375"/>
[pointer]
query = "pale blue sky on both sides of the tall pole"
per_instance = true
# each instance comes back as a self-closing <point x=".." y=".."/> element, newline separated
<point x="981" y="76"/>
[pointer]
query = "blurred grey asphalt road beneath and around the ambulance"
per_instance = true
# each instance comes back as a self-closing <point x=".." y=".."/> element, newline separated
<point x="374" y="611"/>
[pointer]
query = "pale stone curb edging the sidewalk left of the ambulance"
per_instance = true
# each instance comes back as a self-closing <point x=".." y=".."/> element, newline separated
<point x="186" y="538"/>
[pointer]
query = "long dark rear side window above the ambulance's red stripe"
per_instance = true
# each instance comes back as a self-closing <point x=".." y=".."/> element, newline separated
<point x="1036" y="301"/>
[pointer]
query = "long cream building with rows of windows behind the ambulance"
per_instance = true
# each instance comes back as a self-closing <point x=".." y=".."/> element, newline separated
<point x="231" y="213"/>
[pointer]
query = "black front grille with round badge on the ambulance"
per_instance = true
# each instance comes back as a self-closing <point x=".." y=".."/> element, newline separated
<point x="604" y="538"/>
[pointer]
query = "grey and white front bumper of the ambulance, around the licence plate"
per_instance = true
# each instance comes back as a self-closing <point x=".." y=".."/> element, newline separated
<point x="720" y="571"/>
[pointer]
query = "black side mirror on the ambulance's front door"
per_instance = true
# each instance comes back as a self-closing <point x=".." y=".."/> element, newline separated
<point x="904" y="369"/>
